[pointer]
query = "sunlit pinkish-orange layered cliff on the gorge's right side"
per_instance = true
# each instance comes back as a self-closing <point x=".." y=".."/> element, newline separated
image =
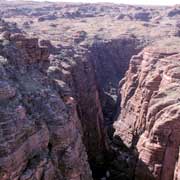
<point x="149" y="119"/>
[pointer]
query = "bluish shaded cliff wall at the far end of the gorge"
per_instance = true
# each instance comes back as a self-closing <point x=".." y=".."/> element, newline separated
<point x="110" y="60"/>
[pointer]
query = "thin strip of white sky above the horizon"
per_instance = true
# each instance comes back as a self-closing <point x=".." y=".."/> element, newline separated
<point x="151" y="2"/>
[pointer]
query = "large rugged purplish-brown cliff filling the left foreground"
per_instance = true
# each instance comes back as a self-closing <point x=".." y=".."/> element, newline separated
<point x="41" y="134"/>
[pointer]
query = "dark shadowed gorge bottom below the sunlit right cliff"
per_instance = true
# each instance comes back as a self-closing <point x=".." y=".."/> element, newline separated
<point x="122" y="163"/>
